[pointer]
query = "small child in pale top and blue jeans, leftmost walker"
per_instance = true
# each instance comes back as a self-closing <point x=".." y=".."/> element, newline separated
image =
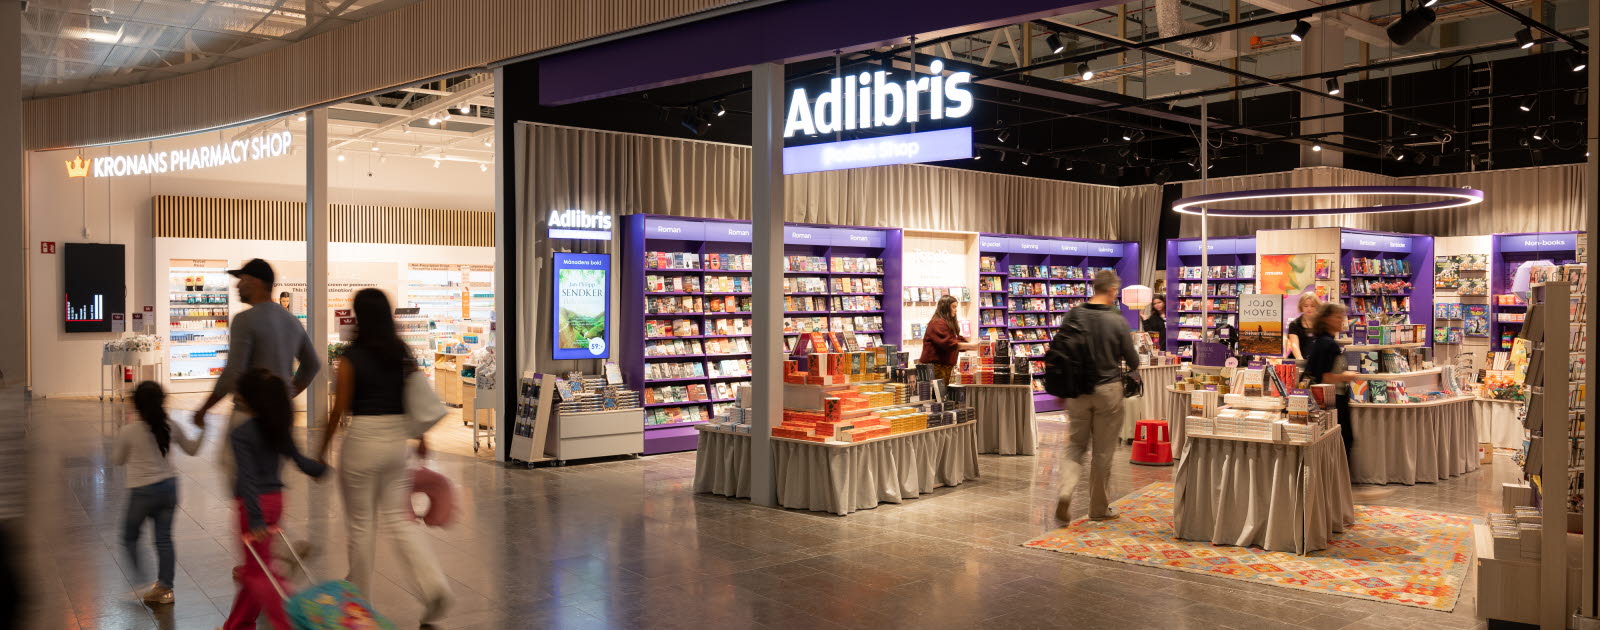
<point x="143" y="449"/>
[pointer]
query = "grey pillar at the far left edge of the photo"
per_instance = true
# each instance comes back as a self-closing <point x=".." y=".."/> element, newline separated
<point x="14" y="210"/>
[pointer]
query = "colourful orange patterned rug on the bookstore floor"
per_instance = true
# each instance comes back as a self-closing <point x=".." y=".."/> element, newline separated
<point x="1394" y="556"/>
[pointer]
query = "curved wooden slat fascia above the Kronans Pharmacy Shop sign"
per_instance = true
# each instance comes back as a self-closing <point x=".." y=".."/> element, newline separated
<point x="406" y="46"/>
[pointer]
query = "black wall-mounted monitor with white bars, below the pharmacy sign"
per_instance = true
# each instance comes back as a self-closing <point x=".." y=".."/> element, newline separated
<point x="95" y="287"/>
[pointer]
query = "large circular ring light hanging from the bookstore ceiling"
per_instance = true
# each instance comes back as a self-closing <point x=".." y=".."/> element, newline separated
<point x="1447" y="199"/>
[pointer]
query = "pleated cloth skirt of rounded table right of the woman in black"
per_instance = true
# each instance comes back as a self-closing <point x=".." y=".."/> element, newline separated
<point x="1414" y="442"/>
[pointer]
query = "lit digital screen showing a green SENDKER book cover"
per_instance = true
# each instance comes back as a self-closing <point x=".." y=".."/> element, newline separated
<point x="583" y="306"/>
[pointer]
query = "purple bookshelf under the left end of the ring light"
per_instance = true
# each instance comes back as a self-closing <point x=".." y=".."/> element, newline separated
<point x="1183" y="287"/>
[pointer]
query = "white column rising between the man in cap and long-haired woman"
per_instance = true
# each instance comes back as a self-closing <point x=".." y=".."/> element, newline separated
<point x="318" y="260"/>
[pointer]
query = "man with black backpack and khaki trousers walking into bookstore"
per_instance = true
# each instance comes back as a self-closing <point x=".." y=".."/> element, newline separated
<point x="1086" y="367"/>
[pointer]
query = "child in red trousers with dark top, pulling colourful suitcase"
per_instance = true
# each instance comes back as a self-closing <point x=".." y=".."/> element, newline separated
<point x="260" y="445"/>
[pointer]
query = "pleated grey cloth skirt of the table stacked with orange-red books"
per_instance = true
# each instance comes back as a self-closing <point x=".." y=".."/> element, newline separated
<point x="838" y="477"/>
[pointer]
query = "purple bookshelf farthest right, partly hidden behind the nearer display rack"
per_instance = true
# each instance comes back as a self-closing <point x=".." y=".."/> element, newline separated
<point x="1508" y="253"/>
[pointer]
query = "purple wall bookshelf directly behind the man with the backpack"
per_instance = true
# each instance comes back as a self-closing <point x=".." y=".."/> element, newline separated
<point x="1028" y="284"/>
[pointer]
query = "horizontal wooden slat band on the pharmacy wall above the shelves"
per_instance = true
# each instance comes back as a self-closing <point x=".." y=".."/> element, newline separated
<point x="257" y="220"/>
